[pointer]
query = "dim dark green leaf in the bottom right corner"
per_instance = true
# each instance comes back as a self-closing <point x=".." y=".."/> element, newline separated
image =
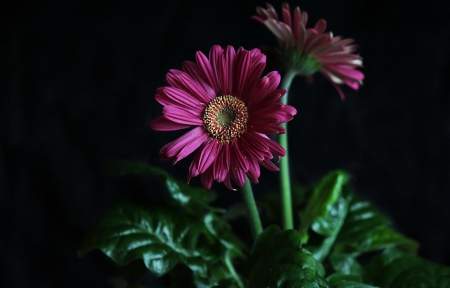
<point x="406" y="270"/>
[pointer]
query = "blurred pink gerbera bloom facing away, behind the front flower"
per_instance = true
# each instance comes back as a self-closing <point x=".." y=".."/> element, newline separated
<point x="308" y="50"/>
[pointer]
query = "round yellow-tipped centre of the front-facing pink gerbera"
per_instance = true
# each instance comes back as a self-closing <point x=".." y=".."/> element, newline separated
<point x="225" y="118"/>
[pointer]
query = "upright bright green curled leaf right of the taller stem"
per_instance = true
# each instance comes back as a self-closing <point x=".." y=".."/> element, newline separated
<point x="326" y="192"/>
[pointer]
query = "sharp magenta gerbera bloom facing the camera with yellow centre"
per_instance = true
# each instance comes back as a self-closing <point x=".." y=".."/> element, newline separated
<point x="230" y="109"/>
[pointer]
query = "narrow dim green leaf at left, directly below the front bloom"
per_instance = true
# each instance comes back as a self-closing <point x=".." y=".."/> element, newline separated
<point x="179" y="192"/>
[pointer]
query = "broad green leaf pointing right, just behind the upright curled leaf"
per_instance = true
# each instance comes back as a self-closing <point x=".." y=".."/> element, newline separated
<point x="366" y="229"/>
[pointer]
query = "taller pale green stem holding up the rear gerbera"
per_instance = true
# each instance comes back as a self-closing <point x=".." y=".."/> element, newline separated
<point x="286" y="203"/>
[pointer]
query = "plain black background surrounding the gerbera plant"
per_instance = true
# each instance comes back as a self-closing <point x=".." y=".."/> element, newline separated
<point x="77" y="90"/>
